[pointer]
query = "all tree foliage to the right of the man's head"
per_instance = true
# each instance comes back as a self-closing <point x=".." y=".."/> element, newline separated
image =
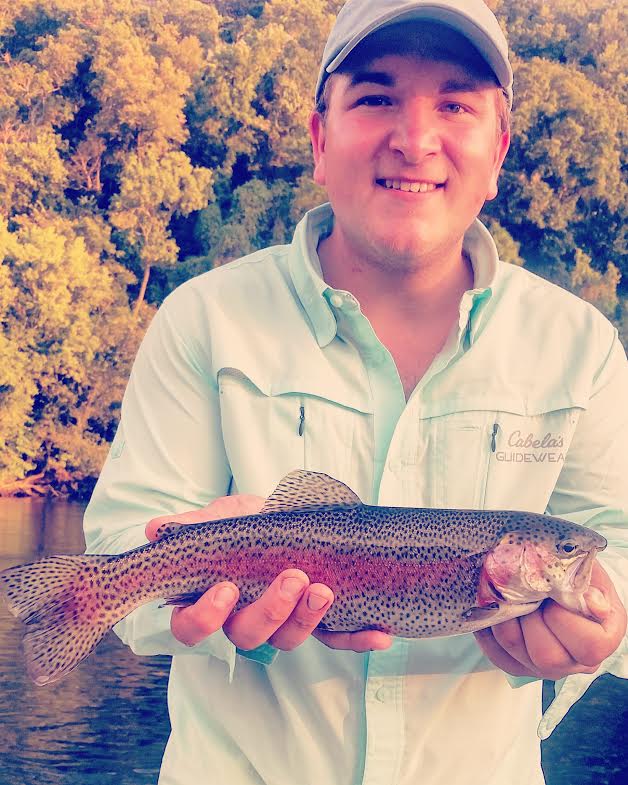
<point x="562" y="191"/>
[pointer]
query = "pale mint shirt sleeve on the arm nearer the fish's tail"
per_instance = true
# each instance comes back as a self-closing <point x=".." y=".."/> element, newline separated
<point x="167" y="457"/>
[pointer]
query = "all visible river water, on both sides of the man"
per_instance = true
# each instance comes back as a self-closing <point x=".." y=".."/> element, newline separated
<point x="106" y="723"/>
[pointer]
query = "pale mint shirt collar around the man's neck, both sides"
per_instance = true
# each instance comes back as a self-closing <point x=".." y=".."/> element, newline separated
<point x="307" y="278"/>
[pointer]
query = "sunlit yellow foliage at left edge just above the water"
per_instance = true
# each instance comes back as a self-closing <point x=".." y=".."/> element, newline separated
<point x="66" y="345"/>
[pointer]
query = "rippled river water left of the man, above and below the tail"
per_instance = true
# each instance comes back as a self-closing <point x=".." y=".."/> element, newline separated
<point x="106" y="723"/>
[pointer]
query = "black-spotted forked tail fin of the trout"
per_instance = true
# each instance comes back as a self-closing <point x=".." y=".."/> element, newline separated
<point x="58" y="599"/>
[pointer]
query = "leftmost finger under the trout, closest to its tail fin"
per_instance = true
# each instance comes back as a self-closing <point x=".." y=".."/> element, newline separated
<point x="208" y="614"/>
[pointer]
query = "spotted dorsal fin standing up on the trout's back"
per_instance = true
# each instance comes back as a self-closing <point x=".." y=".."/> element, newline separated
<point x="303" y="490"/>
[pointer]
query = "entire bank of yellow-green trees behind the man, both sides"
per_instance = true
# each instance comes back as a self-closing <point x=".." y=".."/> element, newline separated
<point x="143" y="142"/>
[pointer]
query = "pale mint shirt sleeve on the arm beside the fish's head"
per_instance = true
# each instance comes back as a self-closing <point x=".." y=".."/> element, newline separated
<point x="592" y="490"/>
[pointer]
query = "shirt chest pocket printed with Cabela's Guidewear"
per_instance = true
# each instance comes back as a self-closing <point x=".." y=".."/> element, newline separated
<point x="494" y="457"/>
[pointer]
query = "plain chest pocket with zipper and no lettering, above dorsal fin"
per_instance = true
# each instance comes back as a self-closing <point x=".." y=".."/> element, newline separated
<point x="268" y="435"/>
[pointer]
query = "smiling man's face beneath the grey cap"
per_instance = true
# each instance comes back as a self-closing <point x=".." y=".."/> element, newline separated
<point x="409" y="151"/>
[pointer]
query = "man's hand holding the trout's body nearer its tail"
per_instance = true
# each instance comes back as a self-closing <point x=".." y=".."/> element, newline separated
<point x="285" y="615"/>
